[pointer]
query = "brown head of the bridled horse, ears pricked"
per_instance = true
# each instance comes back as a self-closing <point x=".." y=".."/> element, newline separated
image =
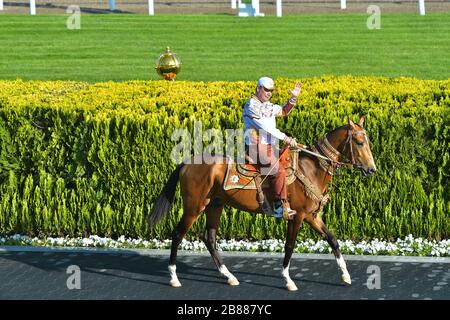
<point x="352" y="146"/>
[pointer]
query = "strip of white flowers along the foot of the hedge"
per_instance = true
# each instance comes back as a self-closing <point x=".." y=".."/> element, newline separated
<point x="409" y="246"/>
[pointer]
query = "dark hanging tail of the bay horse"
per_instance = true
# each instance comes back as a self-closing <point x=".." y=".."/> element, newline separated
<point x="163" y="204"/>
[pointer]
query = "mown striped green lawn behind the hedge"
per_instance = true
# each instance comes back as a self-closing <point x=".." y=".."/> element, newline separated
<point x="220" y="47"/>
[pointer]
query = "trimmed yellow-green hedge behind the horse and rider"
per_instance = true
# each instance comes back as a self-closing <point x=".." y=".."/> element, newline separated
<point x="79" y="159"/>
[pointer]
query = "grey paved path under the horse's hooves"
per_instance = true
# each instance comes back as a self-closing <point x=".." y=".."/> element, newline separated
<point x="47" y="273"/>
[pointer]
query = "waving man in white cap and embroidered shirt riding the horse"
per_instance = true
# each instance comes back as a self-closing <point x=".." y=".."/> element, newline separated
<point x="261" y="135"/>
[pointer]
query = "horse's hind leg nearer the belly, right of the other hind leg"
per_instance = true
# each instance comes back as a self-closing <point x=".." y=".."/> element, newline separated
<point x="213" y="212"/>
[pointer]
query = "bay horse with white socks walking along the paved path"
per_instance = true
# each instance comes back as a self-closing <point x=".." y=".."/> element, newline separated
<point x="202" y="191"/>
